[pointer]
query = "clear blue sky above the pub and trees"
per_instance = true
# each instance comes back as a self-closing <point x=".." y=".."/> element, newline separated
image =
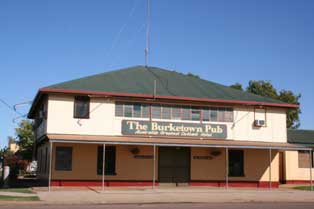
<point x="226" y="41"/>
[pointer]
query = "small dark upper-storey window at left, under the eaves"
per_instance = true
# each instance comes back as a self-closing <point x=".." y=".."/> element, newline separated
<point x="81" y="107"/>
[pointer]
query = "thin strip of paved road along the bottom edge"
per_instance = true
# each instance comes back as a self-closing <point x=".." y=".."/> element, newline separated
<point x="171" y="206"/>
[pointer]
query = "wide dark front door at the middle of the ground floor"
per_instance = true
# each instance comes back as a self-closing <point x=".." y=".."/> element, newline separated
<point x="174" y="164"/>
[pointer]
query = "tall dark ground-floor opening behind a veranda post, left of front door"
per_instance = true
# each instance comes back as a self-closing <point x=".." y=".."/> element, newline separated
<point x="110" y="160"/>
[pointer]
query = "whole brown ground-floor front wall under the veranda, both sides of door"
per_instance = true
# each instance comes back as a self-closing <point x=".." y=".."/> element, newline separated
<point x="129" y="168"/>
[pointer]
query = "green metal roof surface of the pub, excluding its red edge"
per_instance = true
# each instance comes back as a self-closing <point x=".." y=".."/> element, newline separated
<point x="140" y="80"/>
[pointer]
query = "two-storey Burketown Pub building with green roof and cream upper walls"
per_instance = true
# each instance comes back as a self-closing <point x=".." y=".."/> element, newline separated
<point x="145" y="126"/>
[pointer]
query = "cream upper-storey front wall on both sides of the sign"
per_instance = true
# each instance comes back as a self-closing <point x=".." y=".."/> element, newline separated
<point x="103" y="121"/>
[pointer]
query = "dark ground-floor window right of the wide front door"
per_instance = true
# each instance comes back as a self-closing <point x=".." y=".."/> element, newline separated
<point x="236" y="163"/>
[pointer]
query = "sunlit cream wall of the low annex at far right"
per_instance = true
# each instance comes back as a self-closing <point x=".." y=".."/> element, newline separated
<point x="293" y="172"/>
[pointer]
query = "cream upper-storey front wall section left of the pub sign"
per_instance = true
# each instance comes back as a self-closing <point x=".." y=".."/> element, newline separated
<point x="61" y="121"/>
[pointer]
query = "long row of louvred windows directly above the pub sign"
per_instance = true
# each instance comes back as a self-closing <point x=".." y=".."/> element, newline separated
<point x="174" y="112"/>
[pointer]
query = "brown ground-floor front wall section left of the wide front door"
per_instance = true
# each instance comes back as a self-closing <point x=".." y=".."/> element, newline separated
<point x="84" y="164"/>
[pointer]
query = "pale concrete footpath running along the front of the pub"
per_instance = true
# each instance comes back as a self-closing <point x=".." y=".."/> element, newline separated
<point x="172" y="195"/>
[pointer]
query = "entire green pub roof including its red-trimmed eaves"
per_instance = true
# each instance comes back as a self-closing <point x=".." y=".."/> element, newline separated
<point x="139" y="81"/>
